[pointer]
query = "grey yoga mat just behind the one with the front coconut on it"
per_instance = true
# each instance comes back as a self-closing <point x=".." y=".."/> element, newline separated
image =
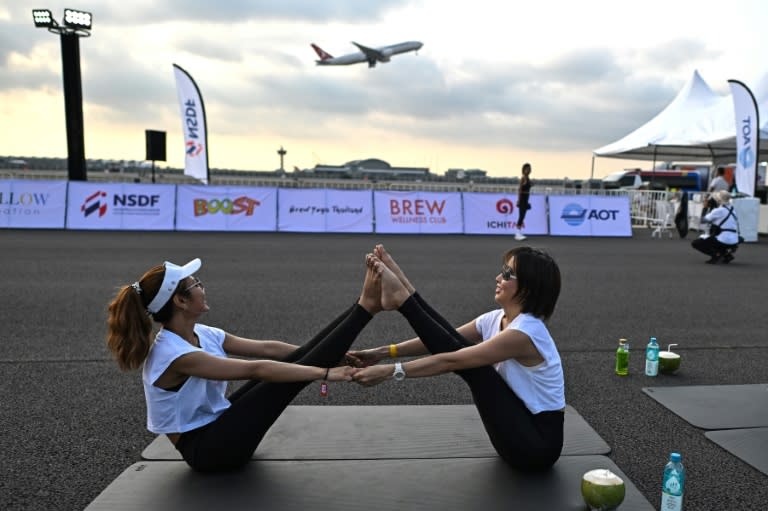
<point x="386" y="432"/>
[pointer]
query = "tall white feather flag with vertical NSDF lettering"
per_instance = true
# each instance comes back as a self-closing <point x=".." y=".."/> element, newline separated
<point x="193" y="125"/>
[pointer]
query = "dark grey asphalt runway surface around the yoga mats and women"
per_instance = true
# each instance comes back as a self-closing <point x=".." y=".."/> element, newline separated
<point x="71" y="421"/>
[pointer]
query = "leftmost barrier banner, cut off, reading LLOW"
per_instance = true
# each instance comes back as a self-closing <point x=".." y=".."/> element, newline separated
<point x="33" y="204"/>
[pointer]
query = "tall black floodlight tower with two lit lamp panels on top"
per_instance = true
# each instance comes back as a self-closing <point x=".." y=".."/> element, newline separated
<point x="76" y="24"/>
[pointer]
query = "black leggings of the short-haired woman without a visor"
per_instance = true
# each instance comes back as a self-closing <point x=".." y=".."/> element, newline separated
<point x="526" y="441"/>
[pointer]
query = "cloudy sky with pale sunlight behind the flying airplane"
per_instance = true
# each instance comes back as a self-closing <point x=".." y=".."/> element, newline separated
<point x="495" y="85"/>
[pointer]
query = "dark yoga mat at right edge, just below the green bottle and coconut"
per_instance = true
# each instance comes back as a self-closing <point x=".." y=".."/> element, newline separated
<point x="716" y="406"/>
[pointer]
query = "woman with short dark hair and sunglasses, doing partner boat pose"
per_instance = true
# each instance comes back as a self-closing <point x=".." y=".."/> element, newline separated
<point x="506" y="356"/>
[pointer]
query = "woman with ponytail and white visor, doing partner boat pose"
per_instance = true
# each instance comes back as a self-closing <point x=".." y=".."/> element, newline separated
<point x="186" y="369"/>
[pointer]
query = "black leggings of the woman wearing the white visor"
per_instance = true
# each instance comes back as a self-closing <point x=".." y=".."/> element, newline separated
<point x="229" y="441"/>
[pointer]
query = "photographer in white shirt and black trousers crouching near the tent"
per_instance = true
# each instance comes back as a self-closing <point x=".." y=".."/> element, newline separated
<point x="723" y="237"/>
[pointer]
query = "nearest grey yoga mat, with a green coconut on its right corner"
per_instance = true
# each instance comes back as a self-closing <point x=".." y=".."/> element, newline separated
<point x="427" y="484"/>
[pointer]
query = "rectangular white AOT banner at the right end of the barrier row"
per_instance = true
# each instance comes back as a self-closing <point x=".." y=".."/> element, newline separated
<point x="589" y="215"/>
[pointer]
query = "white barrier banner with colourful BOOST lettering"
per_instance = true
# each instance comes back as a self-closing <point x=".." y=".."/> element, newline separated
<point x="225" y="208"/>
